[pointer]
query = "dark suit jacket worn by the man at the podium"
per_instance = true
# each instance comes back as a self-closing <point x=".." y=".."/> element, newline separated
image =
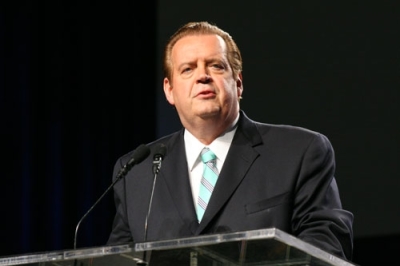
<point x="273" y="176"/>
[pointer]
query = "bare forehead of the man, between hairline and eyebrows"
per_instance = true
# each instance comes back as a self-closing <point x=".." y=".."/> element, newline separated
<point x="199" y="46"/>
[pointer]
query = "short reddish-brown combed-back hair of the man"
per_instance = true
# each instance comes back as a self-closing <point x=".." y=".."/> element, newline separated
<point x="203" y="28"/>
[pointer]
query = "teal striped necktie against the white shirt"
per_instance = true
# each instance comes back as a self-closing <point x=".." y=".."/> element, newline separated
<point x="208" y="181"/>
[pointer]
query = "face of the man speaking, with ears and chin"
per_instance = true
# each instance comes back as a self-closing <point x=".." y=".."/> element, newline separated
<point x="202" y="84"/>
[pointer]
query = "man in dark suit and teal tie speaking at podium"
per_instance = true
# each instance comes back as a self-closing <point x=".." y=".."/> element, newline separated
<point x="265" y="175"/>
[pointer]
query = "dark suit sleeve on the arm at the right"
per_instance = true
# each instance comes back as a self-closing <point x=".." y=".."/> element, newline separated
<point x="318" y="216"/>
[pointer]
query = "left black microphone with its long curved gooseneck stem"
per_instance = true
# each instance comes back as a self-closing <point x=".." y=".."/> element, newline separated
<point x="138" y="155"/>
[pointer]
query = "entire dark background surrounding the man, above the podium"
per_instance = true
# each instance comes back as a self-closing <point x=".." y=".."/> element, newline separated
<point x="81" y="84"/>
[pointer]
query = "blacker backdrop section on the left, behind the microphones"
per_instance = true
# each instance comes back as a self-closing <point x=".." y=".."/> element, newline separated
<point x="77" y="92"/>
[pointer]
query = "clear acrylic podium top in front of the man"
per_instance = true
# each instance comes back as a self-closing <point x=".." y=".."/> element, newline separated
<point x="256" y="247"/>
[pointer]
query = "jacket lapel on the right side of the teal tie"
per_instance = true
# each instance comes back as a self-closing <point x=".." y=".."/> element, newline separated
<point x="240" y="157"/>
